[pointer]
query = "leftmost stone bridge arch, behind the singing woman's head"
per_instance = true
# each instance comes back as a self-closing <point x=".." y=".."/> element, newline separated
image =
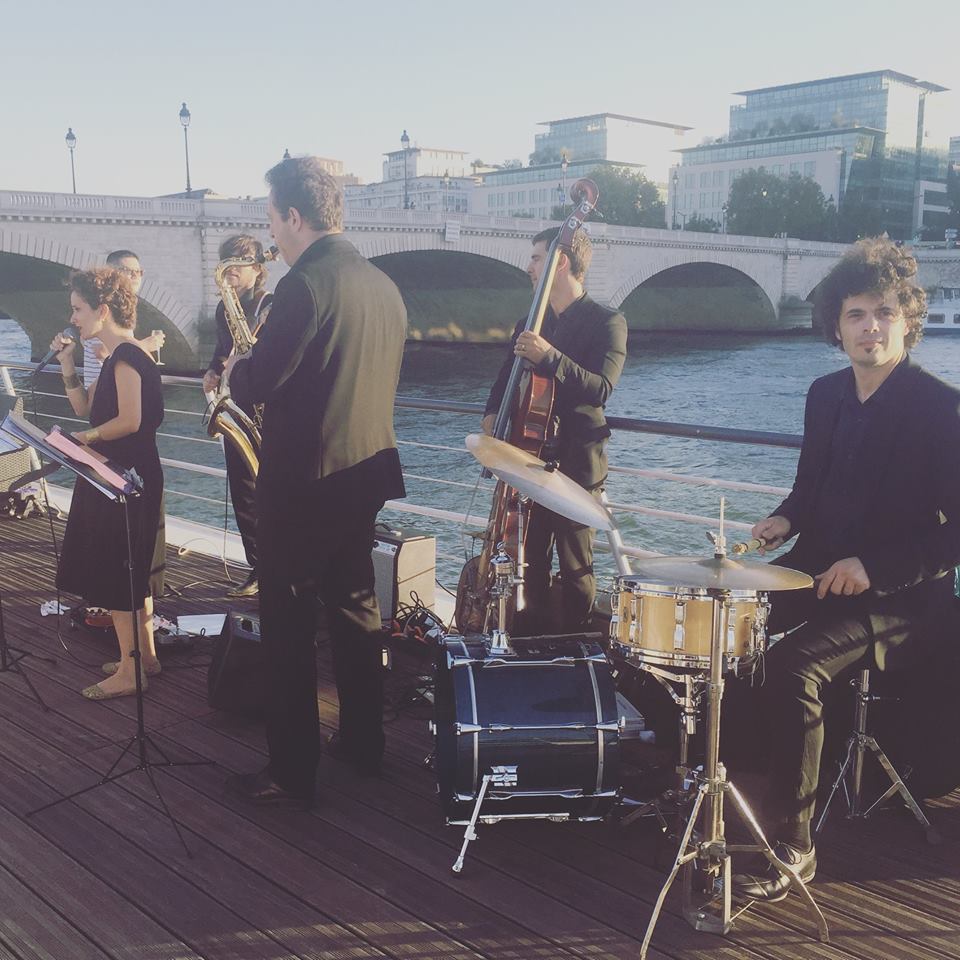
<point x="42" y="309"/>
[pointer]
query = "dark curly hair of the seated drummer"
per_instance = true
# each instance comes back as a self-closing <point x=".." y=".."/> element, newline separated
<point x="873" y="265"/>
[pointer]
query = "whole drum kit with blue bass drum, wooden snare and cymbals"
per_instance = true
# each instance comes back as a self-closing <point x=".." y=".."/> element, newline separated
<point x="530" y="728"/>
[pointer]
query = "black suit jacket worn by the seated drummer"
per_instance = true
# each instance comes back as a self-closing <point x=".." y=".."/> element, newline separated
<point x="910" y="543"/>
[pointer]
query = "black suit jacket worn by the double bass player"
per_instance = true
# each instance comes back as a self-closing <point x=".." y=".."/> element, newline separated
<point x="590" y="347"/>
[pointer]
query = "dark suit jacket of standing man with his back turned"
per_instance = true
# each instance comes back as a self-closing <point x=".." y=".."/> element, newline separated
<point x="326" y="368"/>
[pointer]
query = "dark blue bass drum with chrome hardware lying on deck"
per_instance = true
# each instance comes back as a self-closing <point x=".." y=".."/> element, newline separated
<point x="548" y="715"/>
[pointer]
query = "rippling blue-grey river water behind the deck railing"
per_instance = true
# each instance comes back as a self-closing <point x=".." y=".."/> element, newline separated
<point x="749" y="382"/>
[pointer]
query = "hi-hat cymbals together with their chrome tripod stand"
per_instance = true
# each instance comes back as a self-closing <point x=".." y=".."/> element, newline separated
<point x="704" y="857"/>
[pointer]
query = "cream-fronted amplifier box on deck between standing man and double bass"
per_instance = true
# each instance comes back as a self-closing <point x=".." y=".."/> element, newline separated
<point x="404" y="563"/>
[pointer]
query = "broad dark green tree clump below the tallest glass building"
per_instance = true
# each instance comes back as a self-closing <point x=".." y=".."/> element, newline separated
<point x="762" y="204"/>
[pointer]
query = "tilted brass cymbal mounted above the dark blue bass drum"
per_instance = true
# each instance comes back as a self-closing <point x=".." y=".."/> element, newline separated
<point x="530" y="476"/>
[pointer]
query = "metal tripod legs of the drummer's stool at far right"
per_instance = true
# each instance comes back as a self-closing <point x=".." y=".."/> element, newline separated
<point x="851" y="769"/>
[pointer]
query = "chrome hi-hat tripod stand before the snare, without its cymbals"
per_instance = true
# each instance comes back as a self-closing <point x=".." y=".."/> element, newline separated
<point x="705" y="856"/>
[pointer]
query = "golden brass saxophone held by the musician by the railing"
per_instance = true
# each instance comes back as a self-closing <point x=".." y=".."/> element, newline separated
<point x="227" y="420"/>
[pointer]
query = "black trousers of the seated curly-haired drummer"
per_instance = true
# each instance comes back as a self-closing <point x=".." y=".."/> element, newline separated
<point x="839" y="636"/>
